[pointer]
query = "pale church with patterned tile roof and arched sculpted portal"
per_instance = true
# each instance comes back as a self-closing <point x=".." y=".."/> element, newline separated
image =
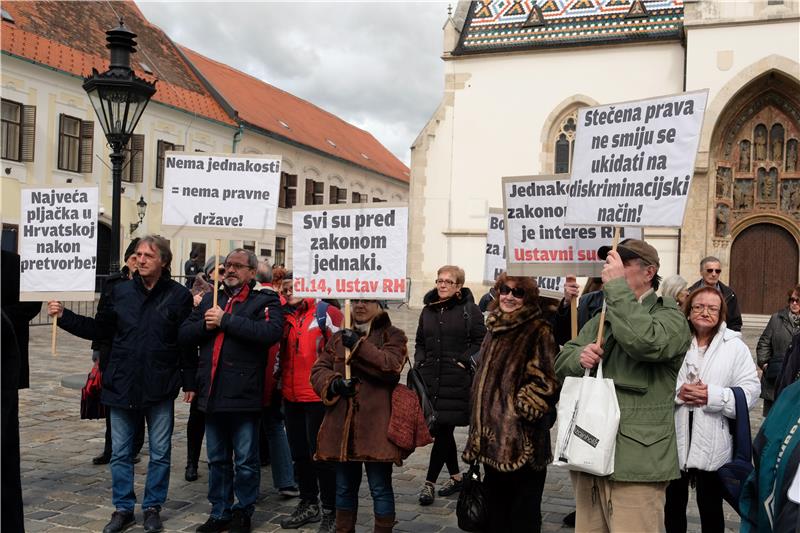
<point x="516" y="73"/>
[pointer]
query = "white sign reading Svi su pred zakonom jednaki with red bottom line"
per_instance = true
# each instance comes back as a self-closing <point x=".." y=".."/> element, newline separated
<point x="350" y="252"/>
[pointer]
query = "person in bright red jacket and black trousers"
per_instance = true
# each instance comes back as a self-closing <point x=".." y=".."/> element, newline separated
<point x="306" y="330"/>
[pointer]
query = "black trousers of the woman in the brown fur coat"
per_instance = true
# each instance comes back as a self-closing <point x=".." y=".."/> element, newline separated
<point x="515" y="500"/>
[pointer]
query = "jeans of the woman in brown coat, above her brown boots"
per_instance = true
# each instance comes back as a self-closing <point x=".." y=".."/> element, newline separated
<point x="379" y="477"/>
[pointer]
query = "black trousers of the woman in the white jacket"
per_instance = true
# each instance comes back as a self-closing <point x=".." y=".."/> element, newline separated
<point x="709" y="502"/>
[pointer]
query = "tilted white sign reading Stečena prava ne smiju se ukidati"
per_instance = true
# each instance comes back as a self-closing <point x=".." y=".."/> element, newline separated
<point x="633" y="162"/>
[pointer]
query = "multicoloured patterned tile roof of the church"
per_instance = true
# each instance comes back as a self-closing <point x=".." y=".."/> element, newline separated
<point x="505" y="25"/>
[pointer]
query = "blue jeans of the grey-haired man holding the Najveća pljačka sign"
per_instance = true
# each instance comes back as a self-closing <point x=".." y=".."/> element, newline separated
<point x="124" y="423"/>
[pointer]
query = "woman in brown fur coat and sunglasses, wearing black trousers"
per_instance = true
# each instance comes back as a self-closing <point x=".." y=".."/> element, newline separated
<point x="513" y="407"/>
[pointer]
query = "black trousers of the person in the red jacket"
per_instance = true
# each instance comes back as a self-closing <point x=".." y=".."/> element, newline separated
<point x="303" y="420"/>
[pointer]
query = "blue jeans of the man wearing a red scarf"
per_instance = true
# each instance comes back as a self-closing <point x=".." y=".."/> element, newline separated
<point x="232" y="434"/>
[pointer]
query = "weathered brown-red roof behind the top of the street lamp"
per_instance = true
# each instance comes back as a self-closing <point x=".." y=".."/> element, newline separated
<point x="70" y="37"/>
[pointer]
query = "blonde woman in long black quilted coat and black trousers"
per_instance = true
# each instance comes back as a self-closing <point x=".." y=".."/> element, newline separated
<point x="449" y="334"/>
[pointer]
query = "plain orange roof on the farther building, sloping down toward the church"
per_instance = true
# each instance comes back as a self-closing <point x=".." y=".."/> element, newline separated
<point x="288" y="117"/>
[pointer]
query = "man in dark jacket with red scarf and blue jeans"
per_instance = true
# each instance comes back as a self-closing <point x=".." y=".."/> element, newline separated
<point x="233" y="338"/>
